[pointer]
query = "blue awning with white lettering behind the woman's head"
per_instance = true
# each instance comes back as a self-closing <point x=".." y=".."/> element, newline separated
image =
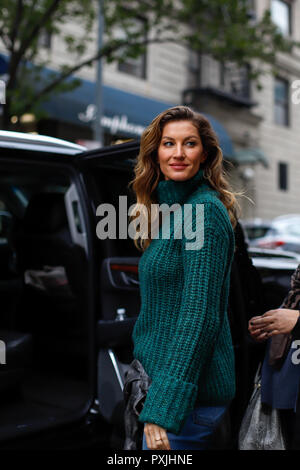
<point x="123" y="113"/>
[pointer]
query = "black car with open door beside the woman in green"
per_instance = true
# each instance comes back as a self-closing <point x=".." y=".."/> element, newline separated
<point x="67" y="343"/>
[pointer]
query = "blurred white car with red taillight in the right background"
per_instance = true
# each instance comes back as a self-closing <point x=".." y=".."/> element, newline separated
<point x="281" y="233"/>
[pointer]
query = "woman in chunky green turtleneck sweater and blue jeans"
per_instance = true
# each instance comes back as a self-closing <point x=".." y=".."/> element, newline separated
<point x="182" y="336"/>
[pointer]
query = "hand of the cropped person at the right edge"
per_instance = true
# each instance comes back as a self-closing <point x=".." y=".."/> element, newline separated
<point x="273" y="322"/>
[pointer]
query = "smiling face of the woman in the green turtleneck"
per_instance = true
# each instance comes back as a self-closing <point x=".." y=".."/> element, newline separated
<point x="180" y="151"/>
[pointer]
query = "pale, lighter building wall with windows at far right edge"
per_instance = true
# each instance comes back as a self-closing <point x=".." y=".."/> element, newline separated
<point x="277" y="188"/>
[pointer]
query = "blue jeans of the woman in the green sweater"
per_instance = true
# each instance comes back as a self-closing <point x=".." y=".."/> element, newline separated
<point x="198" y="429"/>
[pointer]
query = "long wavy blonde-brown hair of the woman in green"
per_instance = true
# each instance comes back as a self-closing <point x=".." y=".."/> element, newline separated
<point x="148" y="174"/>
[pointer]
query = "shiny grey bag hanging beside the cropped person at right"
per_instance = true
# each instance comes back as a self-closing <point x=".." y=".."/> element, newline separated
<point x="261" y="427"/>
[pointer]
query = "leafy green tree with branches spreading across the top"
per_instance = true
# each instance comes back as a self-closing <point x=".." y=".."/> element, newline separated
<point x="225" y="29"/>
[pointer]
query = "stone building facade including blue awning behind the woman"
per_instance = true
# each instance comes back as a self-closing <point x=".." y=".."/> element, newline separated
<point x="258" y="129"/>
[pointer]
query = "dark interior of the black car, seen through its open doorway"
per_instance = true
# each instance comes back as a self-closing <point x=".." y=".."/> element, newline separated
<point x="43" y="285"/>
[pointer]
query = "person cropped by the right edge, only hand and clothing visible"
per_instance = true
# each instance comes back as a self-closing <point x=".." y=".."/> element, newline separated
<point x="281" y="368"/>
